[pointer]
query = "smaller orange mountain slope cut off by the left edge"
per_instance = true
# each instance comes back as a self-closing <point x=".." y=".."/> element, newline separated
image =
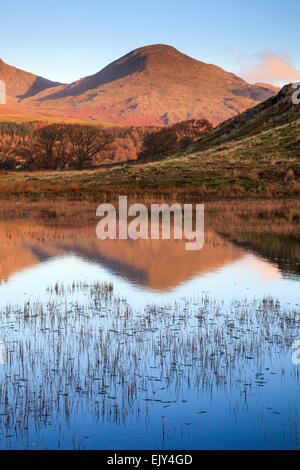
<point x="21" y="84"/>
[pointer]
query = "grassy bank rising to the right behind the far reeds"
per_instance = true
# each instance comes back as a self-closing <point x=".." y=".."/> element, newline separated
<point x="266" y="165"/>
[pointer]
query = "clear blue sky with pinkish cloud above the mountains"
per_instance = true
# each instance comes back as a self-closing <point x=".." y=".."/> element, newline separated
<point x="67" y="39"/>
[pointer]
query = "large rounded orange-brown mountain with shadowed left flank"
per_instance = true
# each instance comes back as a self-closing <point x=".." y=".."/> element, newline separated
<point x="155" y="85"/>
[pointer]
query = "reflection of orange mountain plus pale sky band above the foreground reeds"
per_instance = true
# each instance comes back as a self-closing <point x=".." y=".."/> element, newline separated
<point x="34" y="255"/>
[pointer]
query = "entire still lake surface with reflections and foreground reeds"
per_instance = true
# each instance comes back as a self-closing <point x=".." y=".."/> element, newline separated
<point x="124" y="344"/>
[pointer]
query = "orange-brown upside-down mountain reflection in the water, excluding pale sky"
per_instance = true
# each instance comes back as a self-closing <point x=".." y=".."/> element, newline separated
<point x="159" y="265"/>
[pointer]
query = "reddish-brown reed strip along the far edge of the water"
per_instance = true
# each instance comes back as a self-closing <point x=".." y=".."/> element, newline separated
<point x="277" y="216"/>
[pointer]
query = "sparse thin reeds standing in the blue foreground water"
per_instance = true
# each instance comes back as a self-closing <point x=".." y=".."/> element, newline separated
<point x="85" y="351"/>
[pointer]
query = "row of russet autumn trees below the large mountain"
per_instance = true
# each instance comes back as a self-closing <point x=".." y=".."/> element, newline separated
<point x="59" y="146"/>
